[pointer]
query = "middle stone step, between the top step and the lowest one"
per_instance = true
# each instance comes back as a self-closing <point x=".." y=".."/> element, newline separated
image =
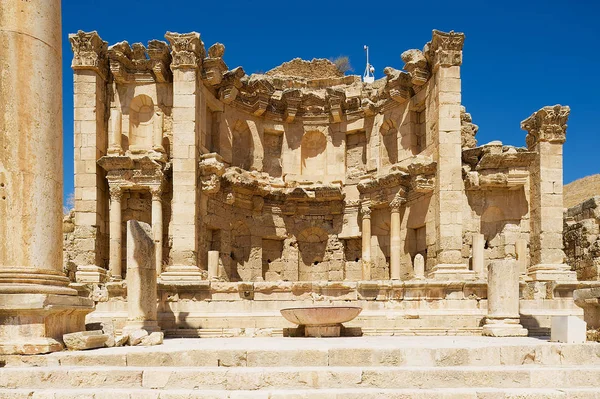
<point x="260" y="378"/>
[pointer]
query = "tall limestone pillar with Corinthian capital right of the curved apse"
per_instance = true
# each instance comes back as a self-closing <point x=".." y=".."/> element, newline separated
<point x="443" y="120"/>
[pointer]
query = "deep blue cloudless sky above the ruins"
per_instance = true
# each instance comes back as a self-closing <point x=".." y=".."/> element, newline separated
<point x="518" y="55"/>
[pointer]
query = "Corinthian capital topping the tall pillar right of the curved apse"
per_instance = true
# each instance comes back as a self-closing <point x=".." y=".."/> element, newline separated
<point x="445" y="49"/>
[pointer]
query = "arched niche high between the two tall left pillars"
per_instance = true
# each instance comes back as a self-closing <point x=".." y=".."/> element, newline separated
<point x="141" y="128"/>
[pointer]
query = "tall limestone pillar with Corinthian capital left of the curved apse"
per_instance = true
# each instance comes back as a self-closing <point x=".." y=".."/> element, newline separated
<point x="188" y="52"/>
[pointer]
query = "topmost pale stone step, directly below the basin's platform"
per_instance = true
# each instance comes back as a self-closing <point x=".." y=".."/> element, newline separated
<point x="363" y="351"/>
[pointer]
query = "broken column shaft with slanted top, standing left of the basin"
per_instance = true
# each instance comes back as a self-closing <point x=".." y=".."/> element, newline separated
<point x="141" y="279"/>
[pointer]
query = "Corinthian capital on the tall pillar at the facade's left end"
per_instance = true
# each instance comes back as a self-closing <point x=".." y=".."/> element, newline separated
<point x="89" y="52"/>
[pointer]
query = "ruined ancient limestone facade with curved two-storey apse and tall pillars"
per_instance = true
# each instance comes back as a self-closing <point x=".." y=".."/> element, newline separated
<point x="303" y="185"/>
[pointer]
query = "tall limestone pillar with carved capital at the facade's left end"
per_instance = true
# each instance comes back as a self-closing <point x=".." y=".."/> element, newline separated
<point x="90" y="74"/>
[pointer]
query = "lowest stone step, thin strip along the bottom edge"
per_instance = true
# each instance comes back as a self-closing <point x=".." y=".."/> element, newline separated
<point x="357" y="393"/>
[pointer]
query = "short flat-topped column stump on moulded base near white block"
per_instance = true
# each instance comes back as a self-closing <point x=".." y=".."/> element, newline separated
<point x="503" y="319"/>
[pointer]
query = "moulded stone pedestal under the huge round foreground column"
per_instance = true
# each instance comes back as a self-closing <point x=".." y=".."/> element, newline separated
<point x="34" y="323"/>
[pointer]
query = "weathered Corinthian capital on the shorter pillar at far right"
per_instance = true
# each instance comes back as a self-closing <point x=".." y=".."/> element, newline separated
<point x="548" y="124"/>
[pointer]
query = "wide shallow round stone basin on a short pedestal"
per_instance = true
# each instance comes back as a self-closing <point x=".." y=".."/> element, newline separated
<point x="321" y="321"/>
